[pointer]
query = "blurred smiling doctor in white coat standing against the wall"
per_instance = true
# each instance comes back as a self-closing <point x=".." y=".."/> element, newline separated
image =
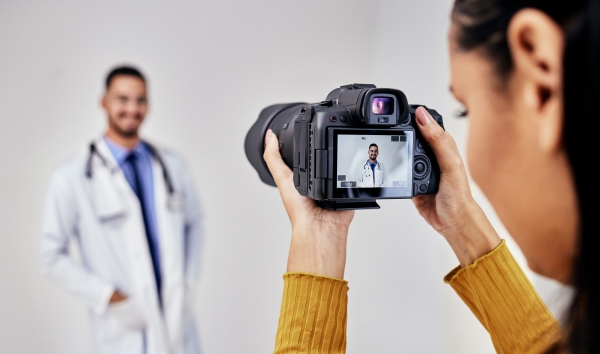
<point x="134" y="213"/>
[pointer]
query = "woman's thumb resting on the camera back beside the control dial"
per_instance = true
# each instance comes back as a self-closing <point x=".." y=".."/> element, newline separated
<point x="439" y="140"/>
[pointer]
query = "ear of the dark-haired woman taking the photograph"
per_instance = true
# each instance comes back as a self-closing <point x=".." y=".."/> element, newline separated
<point x="536" y="44"/>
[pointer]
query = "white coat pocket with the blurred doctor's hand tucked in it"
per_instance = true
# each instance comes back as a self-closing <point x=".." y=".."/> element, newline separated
<point x="124" y="317"/>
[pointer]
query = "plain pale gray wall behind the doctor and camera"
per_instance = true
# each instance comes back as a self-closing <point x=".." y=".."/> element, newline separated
<point x="212" y="65"/>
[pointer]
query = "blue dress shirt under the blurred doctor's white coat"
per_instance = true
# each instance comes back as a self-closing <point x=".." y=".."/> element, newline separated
<point x="144" y="161"/>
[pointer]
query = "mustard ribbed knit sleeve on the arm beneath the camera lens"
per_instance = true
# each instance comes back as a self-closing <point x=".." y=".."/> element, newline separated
<point x="313" y="315"/>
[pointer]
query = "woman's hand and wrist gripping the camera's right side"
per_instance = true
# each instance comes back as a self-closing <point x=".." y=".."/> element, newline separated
<point x="452" y="211"/>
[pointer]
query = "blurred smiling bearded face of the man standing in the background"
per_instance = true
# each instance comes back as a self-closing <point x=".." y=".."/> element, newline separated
<point x="126" y="104"/>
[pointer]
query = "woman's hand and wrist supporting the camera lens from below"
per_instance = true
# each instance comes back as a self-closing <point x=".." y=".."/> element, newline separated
<point x="318" y="236"/>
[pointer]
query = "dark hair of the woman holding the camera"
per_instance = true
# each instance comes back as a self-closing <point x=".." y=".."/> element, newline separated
<point x="483" y="24"/>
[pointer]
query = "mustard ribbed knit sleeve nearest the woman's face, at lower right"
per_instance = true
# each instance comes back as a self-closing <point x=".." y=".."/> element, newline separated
<point x="500" y="295"/>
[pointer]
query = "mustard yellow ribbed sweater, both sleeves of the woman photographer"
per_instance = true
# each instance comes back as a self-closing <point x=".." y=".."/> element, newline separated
<point x="314" y="308"/>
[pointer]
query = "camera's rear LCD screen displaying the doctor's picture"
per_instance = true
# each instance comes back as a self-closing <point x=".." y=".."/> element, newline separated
<point x="374" y="164"/>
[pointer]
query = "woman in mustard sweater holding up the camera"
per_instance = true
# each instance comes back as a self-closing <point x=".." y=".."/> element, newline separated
<point x="528" y="73"/>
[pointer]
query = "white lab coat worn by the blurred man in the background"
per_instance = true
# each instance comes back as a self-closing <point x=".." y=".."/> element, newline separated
<point x="103" y="215"/>
